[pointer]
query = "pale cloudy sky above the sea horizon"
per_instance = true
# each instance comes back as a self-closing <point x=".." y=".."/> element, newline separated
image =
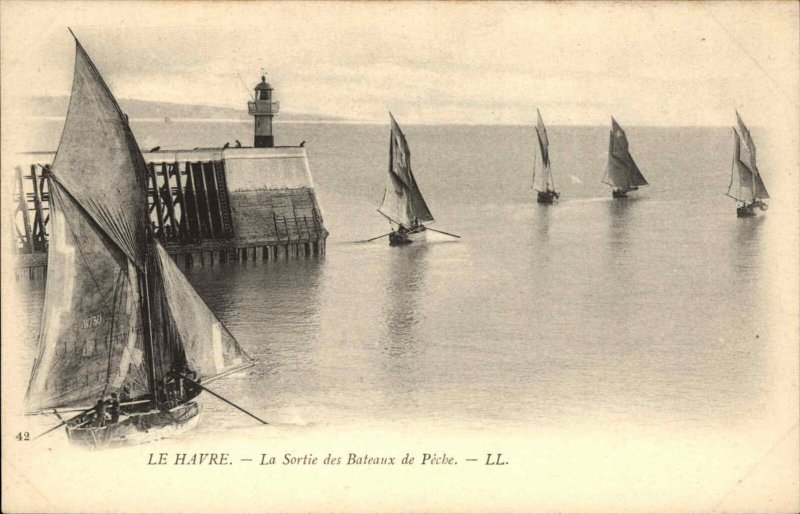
<point x="469" y="62"/>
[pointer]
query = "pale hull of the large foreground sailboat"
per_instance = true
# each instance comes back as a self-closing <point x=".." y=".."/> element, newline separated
<point x="138" y="428"/>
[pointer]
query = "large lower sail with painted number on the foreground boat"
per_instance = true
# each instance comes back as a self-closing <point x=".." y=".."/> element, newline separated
<point x="90" y="342"/>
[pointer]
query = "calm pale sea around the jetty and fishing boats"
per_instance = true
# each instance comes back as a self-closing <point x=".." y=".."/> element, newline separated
<point x="645" y="311"/>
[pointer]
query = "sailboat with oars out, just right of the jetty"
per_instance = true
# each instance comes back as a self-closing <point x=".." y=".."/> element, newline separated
<point x="403" y="204"/>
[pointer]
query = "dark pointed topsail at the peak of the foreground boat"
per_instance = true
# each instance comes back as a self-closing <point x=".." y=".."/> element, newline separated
<point x="99" y="162"/>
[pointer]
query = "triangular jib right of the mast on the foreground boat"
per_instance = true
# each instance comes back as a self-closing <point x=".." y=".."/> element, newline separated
<point x="208" y="347"/>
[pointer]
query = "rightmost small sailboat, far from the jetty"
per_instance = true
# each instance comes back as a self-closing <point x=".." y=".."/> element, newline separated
<point x="746" y="185"/>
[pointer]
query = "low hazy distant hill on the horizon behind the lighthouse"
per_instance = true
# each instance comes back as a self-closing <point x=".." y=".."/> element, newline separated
<point x="137" y="109"/>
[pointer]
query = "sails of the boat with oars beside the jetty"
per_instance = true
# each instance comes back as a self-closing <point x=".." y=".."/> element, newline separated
<point x="402" y="200"/>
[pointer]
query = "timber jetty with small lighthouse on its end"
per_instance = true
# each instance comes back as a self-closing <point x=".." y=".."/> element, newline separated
<point x="207" y="206"/>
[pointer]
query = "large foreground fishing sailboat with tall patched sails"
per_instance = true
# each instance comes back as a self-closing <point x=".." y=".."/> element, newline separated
<point x="119" y="319"/>
